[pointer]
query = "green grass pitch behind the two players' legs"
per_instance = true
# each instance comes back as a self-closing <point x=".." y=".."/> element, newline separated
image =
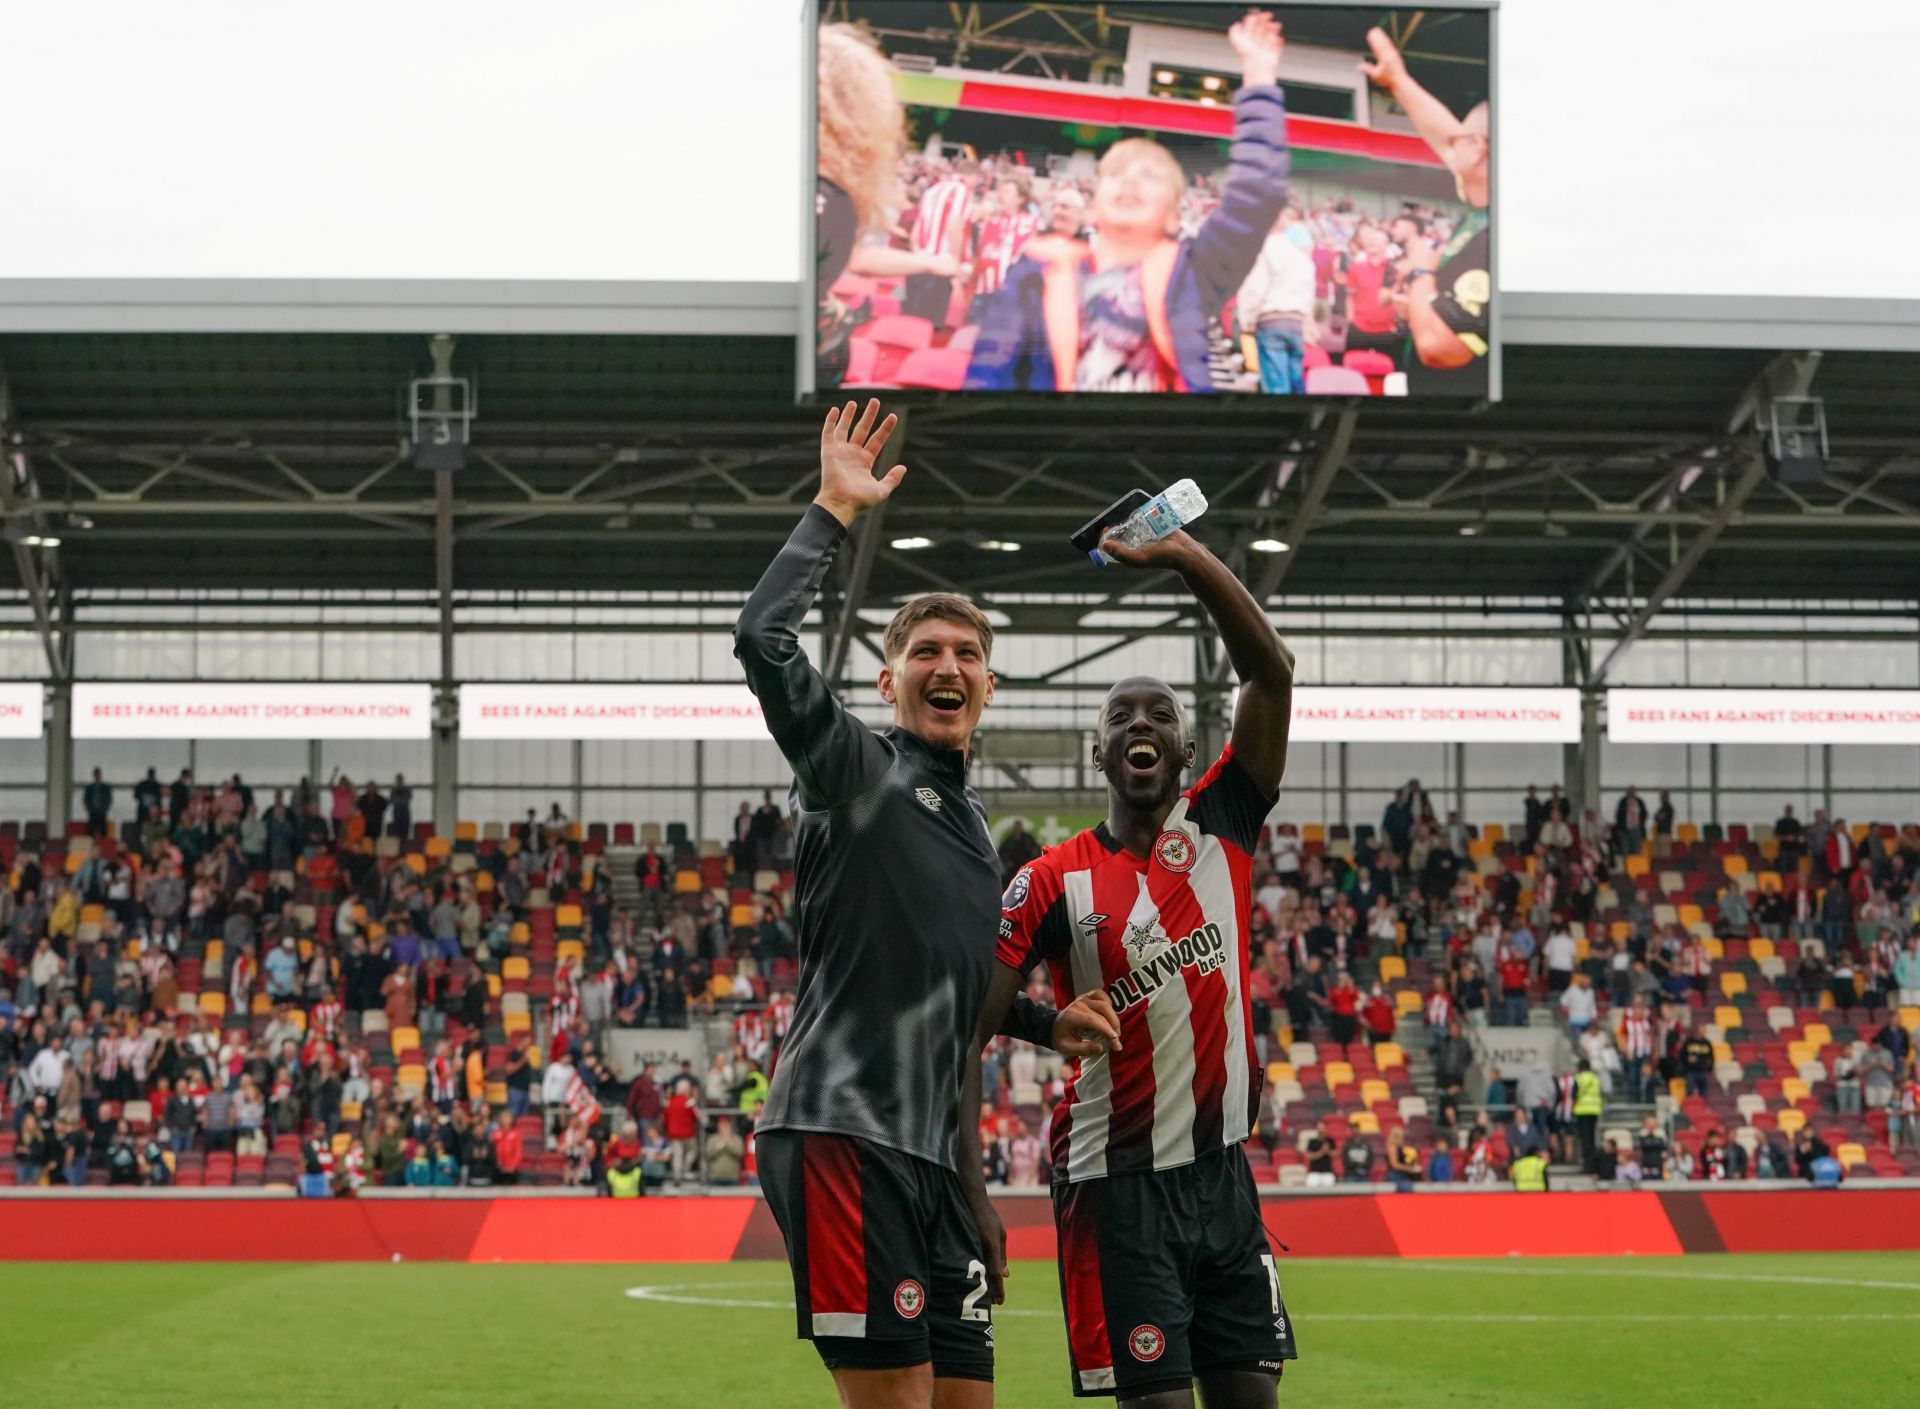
<point x="1385" y="1335"/>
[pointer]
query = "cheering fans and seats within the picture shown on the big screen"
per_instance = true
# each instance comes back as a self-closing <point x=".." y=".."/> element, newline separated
<point x="1005" y="254"/>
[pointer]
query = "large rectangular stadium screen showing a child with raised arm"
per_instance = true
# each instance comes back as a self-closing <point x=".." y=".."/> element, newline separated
<point x="1153" y="199"/>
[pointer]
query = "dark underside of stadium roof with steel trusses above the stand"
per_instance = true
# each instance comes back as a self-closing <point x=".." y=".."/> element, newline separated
<point x="667" y="466"/>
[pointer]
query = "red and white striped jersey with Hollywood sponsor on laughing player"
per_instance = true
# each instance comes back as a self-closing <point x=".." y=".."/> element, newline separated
<point x="1166" y="936"/>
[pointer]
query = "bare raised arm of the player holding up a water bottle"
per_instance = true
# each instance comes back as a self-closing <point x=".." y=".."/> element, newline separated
<point x="1259" y="656"/>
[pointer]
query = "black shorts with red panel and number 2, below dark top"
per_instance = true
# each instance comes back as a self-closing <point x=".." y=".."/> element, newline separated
<point x="884" y="1251"/>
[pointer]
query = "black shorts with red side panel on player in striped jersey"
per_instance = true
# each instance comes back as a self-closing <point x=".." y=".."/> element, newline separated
<point x="1168" y="1278"/>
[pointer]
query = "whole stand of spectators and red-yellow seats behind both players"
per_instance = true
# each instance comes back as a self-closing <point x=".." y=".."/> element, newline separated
<point x="314" y="991"/>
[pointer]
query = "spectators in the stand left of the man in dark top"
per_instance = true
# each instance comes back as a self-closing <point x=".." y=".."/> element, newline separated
<point x="312" y="988"/>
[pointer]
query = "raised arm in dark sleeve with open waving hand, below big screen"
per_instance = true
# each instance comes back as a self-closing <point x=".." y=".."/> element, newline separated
<point x="832" y="753"/>
